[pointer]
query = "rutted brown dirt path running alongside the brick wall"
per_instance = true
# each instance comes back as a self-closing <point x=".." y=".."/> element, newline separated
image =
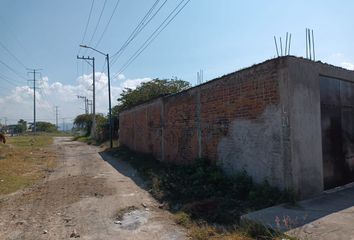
<point x="83" y="196"/>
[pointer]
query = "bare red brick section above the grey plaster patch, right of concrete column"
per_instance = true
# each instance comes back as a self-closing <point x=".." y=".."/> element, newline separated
<point x="241" y="95"/>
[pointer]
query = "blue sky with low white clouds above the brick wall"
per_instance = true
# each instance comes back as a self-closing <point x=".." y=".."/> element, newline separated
<point x="216" y="36"/>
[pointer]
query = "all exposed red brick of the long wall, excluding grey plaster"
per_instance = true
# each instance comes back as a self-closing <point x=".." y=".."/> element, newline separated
<point x="174" y="119"/>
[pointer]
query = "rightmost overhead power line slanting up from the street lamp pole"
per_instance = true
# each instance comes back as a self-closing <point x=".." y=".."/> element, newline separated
<point x="154" y="35"/>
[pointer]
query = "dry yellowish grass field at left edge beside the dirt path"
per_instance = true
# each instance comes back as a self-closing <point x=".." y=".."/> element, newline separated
<point x="24" y="160"/>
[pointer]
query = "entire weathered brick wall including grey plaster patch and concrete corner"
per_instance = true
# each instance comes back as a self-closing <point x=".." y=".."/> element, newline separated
<point x="265" y="119"/>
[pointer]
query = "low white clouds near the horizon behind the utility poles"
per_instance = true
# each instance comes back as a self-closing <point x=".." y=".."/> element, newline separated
<point x="19" y="102"/>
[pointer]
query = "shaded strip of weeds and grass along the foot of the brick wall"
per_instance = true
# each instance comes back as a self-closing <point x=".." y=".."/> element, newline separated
<point x="205" y="200"/>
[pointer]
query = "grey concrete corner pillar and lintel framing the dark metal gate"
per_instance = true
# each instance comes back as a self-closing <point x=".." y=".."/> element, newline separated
<point x="300" y="91"/>
